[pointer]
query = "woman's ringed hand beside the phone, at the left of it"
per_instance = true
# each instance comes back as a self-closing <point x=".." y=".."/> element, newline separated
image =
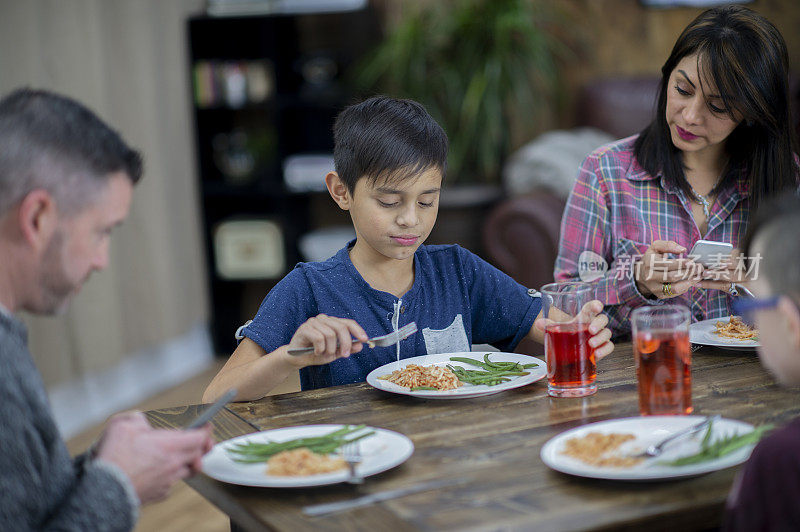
<point x="657" y="275"/>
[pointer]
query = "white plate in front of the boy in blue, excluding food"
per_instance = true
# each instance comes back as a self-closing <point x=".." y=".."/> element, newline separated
<point x="466" y="390"/>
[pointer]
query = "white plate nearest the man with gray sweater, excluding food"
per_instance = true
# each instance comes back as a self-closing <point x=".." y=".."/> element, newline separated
<point x="383" y="450"/>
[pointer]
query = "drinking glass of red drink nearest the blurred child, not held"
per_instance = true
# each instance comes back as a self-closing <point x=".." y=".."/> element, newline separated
<point x="663" y="358"/>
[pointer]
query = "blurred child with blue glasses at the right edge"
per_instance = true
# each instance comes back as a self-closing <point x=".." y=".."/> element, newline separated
<point x="766" y="494"/>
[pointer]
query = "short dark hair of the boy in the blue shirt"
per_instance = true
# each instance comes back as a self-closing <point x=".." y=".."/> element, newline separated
<point x="389" y="138"/>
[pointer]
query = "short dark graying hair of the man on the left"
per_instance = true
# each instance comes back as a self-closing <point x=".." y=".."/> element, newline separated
<point x="53" y="142"/>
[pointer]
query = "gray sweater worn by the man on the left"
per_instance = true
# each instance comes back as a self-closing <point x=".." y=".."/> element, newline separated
<point x="41" y="486"/>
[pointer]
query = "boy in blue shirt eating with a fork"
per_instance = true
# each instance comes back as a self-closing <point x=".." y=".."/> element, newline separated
<point x="390" y="158"/>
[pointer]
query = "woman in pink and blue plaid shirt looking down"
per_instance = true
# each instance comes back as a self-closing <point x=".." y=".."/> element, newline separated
<point x="721" y="142"/>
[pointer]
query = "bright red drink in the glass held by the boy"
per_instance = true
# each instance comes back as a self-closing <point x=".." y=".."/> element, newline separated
<point x="571" y="365"/>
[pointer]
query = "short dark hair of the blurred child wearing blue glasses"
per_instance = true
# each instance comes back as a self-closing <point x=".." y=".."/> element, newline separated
<point x="775" y="223"/>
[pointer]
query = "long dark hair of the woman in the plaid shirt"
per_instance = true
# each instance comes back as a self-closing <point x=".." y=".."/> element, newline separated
<point x="745" y="56"/>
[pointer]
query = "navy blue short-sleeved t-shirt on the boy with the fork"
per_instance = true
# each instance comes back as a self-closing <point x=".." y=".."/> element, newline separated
<point x="457" y="299"/>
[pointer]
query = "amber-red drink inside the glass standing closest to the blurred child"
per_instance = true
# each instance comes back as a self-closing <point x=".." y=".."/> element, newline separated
<point x="664" y="371"/>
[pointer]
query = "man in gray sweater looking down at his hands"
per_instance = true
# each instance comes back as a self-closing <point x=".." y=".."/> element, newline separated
<point x="66" y="180"/>
